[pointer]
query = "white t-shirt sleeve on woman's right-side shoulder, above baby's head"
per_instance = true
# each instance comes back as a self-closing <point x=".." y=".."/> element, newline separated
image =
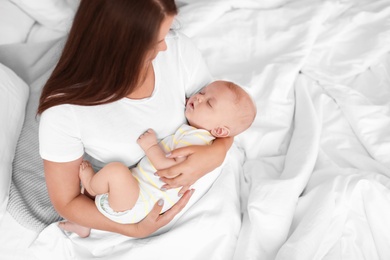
<point x="194" y="65"/>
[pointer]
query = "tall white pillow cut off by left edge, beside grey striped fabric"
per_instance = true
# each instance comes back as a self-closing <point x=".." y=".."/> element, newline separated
<point x="14" y="94"/>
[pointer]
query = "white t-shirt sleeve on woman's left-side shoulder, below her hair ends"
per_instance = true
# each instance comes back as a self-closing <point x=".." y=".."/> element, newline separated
<point x="59" y="135"/>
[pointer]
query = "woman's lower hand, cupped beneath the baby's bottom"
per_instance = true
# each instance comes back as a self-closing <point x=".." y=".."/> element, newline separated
<point x="154" y="220"/>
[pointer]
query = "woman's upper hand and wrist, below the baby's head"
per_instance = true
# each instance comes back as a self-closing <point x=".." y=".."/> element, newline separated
<point x="201" y="159"/>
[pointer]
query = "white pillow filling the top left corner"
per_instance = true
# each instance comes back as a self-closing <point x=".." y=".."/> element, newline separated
<point x="14" y="23"/>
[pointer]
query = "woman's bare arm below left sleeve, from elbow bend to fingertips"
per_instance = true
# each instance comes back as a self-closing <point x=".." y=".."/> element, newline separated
<point x="63" y="184"/>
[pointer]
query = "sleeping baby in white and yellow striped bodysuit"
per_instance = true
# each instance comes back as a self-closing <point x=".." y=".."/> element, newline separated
<point x="221" y="109"/>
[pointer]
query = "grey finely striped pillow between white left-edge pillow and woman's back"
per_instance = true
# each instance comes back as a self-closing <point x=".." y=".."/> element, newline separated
<point x="28" y="202"/>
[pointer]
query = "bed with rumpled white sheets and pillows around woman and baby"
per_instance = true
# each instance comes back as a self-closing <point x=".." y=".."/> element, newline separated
<point x="309" y="180"/>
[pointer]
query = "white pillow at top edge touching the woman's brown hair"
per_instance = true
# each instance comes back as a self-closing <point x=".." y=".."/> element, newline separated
<point x="54" y="14"/>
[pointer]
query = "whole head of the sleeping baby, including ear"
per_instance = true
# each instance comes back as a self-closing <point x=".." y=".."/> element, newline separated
<point x="222" y="107"/>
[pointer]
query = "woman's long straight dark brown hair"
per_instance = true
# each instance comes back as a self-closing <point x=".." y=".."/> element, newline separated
<point x="104" y="55"/>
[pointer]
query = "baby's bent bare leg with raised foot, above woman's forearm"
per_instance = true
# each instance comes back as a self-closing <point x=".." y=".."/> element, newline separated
<point x="116" y="180"/>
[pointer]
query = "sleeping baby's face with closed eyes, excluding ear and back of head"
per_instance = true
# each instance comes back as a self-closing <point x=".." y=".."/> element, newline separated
<point x="212" y="107"/>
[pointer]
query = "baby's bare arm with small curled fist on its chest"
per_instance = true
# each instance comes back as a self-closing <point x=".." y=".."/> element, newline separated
<point x="148" y="142"/>
